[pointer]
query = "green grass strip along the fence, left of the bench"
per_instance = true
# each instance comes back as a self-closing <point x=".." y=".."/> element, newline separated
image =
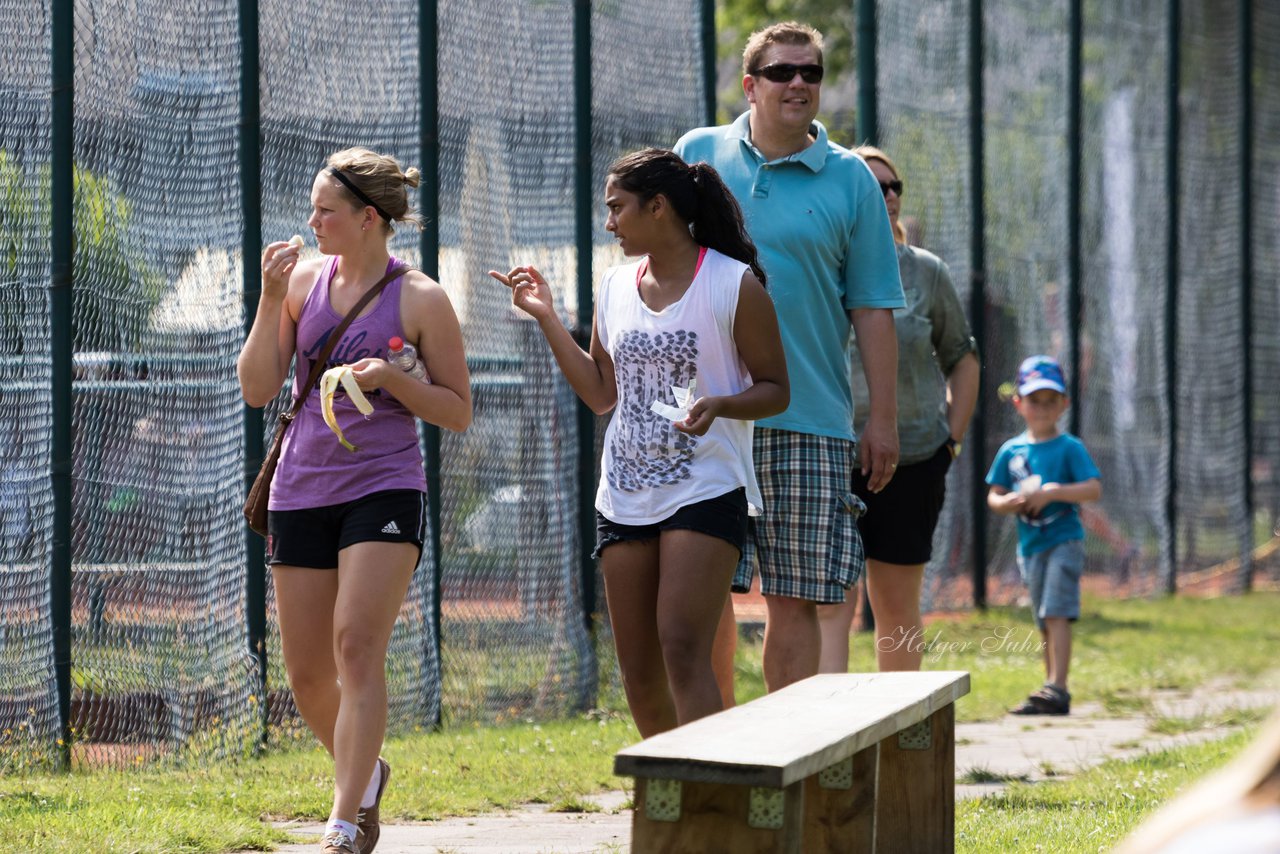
<point x="221" y="809"/>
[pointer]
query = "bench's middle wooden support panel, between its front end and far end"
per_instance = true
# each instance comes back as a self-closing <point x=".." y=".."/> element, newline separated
<point x="840" y="806"/>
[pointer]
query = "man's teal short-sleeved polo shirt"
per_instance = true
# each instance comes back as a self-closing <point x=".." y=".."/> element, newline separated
<point x="820" y="225"/>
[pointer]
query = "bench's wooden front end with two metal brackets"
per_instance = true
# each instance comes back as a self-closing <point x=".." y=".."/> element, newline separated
<point x="715" y="818"/>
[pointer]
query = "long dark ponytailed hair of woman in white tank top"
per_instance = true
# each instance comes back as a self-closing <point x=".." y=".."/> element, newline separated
<point x="698" y="195"/>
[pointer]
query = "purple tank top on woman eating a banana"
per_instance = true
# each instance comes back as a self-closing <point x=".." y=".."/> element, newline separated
<point x="314" y="469"/>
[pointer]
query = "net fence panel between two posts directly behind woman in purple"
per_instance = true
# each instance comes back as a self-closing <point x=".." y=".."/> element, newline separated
<point x="327" y="86"/>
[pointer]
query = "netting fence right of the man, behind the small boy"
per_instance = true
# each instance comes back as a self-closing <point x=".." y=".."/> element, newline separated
<point x="1163" y="327"/>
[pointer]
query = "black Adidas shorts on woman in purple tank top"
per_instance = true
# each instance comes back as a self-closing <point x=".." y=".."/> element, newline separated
<point x="314" y="537"/>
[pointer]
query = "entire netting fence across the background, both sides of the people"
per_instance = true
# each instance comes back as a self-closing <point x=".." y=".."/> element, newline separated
<point x="161" y="666"/>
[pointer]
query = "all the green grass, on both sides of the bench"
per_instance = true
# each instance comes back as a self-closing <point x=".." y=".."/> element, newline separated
<point x="1124" y="652"/>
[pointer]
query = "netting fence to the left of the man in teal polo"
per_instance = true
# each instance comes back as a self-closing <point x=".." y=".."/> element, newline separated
<point x="161" y="664"/>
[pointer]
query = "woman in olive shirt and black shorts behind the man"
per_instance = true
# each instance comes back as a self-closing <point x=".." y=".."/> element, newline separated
<point x="938" y="387"/>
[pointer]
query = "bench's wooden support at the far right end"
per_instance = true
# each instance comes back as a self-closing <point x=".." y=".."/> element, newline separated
<point x="917" y="797"/>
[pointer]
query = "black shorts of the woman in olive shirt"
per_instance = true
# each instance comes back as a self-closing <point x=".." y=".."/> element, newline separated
<point x="898" y="527"/>
